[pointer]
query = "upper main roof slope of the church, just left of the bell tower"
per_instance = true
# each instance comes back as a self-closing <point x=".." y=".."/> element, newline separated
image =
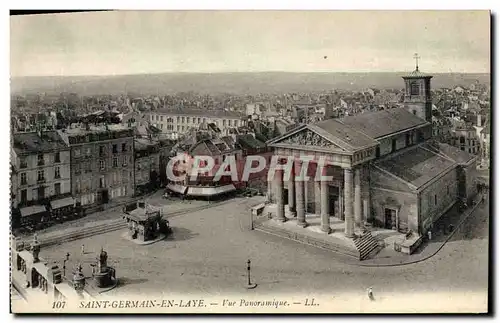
<point x="382" y="123"/>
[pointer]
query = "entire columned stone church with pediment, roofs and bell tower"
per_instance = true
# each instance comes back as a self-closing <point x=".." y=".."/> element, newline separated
<point x="387" y="169"/>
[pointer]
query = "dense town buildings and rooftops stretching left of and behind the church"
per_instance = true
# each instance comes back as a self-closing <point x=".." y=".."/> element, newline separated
<point x="69" y="148"/>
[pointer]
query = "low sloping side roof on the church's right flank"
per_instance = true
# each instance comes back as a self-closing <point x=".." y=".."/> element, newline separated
<point x="416" y="166"/>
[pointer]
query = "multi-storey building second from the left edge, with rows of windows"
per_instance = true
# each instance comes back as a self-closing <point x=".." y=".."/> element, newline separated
<point x="102" y="166"/>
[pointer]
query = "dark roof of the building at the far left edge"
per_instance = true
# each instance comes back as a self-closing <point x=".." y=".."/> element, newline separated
<point x="31" y="142"/>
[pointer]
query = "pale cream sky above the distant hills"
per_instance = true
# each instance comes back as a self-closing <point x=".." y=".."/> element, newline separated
<point x="137" y="42"/>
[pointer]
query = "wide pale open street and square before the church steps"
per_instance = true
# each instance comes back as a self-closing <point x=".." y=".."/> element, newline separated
<point x="208" y="252"/>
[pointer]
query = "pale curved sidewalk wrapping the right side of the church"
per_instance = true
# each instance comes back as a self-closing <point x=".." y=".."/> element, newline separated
<point x="387" y="257"/>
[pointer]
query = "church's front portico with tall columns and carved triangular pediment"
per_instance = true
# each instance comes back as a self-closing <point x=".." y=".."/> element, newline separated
<point x="324" y="180"/>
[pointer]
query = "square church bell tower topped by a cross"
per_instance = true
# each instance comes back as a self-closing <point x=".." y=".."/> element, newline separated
<point x="417" y="97"/>
